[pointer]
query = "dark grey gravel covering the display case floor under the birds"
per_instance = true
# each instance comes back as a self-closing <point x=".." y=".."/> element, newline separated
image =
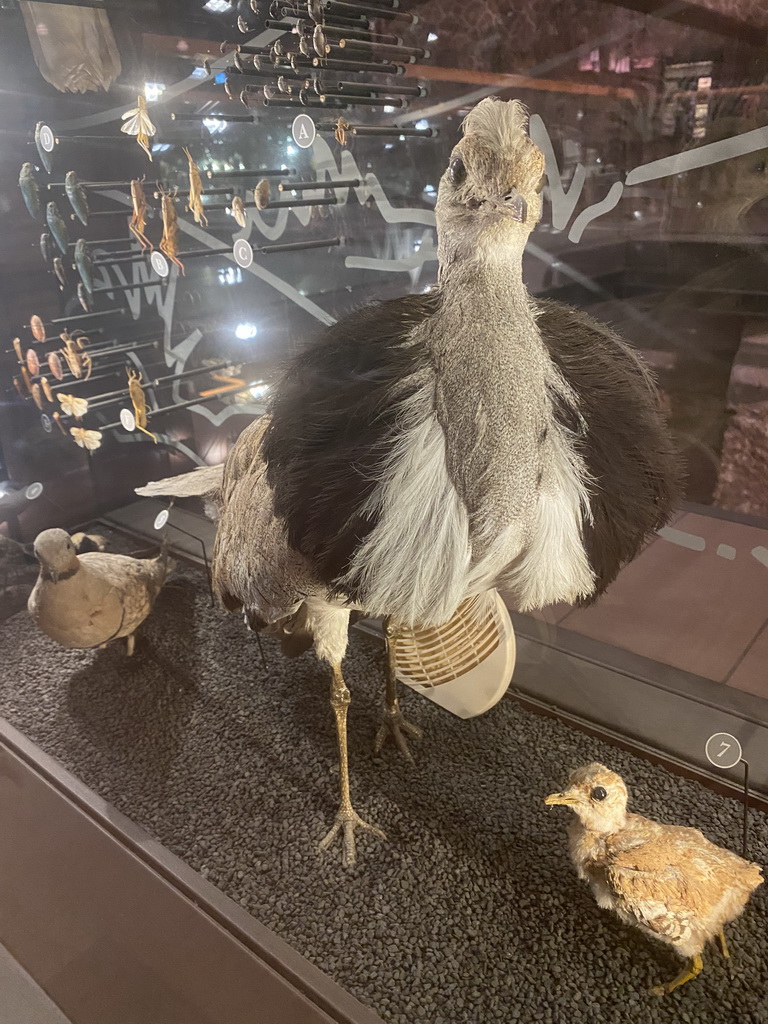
<point x="471" y="913"/>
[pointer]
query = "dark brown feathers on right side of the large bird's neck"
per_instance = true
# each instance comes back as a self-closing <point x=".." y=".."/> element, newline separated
<point x="627" y="447"/>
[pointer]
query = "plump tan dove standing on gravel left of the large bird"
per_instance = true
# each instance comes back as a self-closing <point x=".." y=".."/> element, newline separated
<point x="89" y="601"/>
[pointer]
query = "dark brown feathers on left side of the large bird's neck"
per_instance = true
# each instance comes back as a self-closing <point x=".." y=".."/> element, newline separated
<point x="332" y="419"/>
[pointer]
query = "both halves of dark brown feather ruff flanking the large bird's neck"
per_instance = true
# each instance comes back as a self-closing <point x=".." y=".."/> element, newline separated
<point x="336" y="411"/>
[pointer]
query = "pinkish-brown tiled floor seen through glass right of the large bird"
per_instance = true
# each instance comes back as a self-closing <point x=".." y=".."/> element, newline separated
<point x="704" y="612"/>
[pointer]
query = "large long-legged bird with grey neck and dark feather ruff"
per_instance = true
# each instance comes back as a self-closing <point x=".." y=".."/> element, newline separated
<point x="434" y="448"/>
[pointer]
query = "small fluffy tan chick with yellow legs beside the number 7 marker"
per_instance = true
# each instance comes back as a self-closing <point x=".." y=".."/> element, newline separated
<point x="670" y="882"/>
